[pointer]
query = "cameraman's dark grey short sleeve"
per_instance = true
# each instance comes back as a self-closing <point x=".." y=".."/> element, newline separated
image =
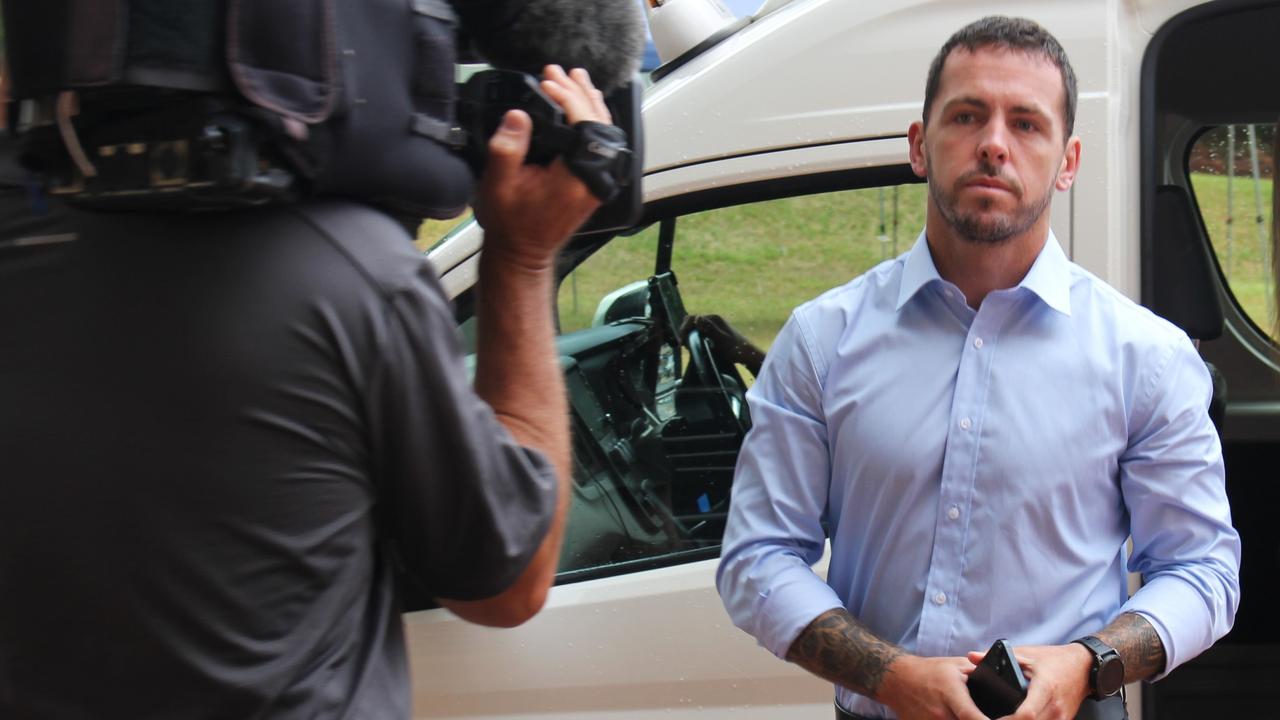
<point x="465" y="503"/>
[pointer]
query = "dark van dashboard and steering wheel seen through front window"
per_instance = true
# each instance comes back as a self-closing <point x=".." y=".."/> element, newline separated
<point x="657" y="426"/>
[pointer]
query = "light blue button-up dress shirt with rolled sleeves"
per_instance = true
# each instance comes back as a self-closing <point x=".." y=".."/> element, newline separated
<point x="980" y="472"/>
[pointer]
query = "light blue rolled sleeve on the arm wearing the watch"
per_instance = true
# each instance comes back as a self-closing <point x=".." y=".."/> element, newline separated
<point x="1174" y="486"/>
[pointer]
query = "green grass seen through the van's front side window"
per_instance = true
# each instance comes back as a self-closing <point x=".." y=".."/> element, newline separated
<point x="753" y="265"/>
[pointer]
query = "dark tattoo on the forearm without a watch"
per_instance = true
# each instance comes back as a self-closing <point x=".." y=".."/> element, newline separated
<point x="839" y="649"/>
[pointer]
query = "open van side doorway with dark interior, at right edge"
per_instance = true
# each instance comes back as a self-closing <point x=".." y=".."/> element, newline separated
<point x="1209" y="263"/>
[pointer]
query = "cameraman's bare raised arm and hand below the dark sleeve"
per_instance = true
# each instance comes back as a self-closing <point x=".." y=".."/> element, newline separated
<point x="528" y="213"/>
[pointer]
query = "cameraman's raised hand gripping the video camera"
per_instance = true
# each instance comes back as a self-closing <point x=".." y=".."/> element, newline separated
<point x="528" y="212"/>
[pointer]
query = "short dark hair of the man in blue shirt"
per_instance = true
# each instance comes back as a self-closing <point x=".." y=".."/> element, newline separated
<point x="1011" y="34"/>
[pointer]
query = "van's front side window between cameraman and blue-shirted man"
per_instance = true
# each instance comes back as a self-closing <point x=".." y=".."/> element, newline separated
<point x="656" y="432"/>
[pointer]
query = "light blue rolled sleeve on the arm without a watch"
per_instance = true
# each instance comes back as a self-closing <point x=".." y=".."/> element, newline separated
<point x="780" y="491"/>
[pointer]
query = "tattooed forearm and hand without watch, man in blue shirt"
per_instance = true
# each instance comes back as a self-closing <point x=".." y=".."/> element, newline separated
<point x="838" y="648"/>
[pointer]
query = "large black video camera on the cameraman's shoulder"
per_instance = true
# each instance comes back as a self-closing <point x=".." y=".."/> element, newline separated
<point x="212" y="104"/>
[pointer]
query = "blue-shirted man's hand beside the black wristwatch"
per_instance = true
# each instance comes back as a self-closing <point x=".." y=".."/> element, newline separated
<point x="1058" y="680"/>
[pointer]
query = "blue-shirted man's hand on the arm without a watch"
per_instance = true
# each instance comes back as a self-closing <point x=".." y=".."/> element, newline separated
<point x="930" y="689"/>
